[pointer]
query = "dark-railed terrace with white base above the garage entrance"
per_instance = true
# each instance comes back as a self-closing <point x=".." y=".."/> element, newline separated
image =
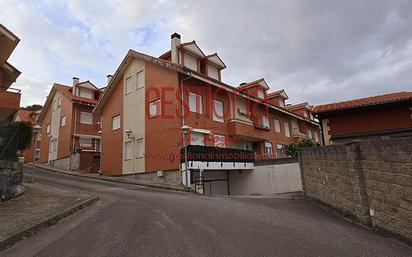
<point x="215" y="158"/>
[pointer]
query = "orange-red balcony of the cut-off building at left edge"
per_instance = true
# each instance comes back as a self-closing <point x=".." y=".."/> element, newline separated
<point x="9" y="103"/>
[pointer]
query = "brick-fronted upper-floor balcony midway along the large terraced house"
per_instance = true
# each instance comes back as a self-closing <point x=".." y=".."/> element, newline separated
<point x="251" y="131"/>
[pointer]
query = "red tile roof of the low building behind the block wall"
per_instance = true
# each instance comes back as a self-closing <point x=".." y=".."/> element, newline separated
<point x="361" y="102"/>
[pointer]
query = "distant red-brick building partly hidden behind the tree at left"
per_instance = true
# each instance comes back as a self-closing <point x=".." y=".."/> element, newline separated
<point x="30" y="116"/>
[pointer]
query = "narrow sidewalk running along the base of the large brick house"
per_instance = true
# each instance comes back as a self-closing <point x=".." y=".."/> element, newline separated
<point x="124" y="180"/>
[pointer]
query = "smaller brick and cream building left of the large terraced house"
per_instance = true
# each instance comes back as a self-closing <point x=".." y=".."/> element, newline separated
<point x="69" y="130"/>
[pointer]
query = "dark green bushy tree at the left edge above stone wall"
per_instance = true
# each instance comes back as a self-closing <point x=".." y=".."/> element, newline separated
<point x="14" y="137"/>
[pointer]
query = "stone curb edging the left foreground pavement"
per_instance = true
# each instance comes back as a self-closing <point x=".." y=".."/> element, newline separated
<point x="13" y="239"/>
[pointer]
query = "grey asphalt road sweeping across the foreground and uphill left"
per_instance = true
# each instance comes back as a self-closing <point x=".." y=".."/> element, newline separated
<point x="136" y="221"/>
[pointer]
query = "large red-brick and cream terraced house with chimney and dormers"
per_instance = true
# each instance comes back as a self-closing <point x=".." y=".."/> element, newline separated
<point x="151" y="102"/>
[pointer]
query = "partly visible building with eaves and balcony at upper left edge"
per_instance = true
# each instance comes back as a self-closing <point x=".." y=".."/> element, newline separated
<point x="9" y="97"/>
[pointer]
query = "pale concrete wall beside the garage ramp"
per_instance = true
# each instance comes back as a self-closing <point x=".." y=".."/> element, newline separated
<point x="266" y="180"/>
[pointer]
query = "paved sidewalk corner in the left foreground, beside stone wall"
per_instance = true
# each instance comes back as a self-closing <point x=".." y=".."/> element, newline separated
<point x="39" y="207"/>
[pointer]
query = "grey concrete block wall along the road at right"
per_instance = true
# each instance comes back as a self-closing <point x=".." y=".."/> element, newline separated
<point x="369" y="180"/>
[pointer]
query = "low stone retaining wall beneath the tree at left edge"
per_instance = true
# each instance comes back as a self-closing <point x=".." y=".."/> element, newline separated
<point x="11" y="180"/>
